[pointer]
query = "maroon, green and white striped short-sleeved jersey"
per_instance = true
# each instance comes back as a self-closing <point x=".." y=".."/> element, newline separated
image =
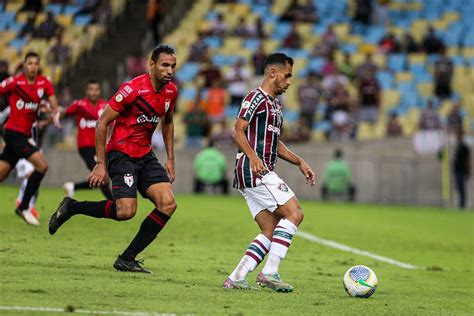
<point x="264" y="115"/>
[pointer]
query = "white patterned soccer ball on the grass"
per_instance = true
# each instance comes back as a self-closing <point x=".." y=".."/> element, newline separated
<point x="360" y="281"/>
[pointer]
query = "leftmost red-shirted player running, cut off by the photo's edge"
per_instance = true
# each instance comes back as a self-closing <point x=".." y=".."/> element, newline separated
<point x="26" y="91"/>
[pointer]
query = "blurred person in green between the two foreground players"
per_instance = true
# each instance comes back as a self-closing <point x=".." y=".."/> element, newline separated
<point x="210" y="166"/>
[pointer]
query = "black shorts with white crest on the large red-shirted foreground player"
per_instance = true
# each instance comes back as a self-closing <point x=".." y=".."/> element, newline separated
<point x="129" y="174"/>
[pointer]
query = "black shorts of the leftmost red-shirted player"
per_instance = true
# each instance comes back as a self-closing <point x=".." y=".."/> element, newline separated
<point x="17" y="146"/>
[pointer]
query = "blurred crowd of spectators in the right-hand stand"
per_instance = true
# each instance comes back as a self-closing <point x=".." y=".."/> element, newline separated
<point x="341" y="93"/>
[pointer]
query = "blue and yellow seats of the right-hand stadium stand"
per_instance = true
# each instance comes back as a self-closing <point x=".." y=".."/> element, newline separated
<point x="406" y="75"/>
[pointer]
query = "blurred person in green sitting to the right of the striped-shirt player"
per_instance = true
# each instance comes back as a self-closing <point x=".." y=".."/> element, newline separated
<point x="338" y="178"/>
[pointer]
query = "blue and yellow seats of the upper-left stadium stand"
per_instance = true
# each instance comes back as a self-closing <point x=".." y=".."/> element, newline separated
<point x="80" y="32"/>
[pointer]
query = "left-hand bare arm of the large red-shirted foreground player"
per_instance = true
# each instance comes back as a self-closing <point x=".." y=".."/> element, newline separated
<point x="99" y="173"/>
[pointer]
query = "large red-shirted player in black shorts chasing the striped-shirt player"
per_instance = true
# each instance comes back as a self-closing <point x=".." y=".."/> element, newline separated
<point x="135" y="109"/>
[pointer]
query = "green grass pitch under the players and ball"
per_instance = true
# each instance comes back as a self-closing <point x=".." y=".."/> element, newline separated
<point x="206" y="238"/>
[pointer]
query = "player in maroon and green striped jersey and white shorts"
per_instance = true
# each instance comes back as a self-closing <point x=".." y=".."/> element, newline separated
<point x="272" y="203"/>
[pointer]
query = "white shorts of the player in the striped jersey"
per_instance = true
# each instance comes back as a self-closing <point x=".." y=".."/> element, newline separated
<point x="270" y="192"/>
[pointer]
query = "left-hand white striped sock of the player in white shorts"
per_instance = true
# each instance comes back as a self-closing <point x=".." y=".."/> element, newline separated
<point x="255" y="253"/>
